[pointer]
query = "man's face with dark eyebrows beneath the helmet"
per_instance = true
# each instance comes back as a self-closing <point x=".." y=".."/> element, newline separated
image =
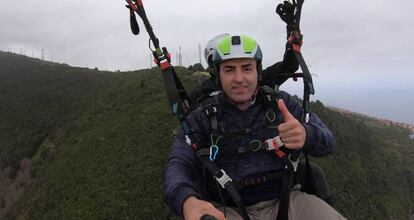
<point x="239" y="79"/>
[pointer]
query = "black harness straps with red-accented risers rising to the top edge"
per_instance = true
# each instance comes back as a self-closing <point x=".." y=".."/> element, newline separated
<point x="180" y="103"/>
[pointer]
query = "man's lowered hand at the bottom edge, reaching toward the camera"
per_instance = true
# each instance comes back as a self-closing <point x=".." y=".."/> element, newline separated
<point x="194" y="208"/>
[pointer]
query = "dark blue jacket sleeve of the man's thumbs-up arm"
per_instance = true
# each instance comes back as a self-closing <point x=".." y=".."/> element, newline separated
<point x="319" y="139"/>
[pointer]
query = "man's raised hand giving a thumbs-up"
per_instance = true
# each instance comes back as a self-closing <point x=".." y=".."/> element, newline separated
<point x="292" y="132"/>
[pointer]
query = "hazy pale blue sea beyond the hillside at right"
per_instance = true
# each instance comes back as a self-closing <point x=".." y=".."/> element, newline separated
<point x="384" y="98"/>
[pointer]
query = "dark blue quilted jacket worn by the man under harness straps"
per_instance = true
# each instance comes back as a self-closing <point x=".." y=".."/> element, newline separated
<point x="181" y="177"/>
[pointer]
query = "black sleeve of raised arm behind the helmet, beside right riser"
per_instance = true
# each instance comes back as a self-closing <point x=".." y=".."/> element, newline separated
<point x="271" y="76"/>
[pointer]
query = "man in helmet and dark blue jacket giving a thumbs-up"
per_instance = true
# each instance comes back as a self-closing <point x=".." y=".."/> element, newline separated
<point x="242" y="119"/>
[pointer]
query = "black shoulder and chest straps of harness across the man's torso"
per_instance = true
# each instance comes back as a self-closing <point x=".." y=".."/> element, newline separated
<point x="273" y="145"/>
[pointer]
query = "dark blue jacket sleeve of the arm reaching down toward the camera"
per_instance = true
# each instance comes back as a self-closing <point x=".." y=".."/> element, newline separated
<point x="180" y="174"/>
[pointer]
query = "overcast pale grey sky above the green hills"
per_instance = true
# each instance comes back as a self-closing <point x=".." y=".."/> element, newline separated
<point x="360" y="51"/>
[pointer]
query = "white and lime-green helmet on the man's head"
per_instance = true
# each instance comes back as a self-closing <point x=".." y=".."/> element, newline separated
<point x="237" y="46"/>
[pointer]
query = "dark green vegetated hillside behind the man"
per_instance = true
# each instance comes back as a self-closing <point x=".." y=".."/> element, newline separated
<point x="78" y="143"/>
